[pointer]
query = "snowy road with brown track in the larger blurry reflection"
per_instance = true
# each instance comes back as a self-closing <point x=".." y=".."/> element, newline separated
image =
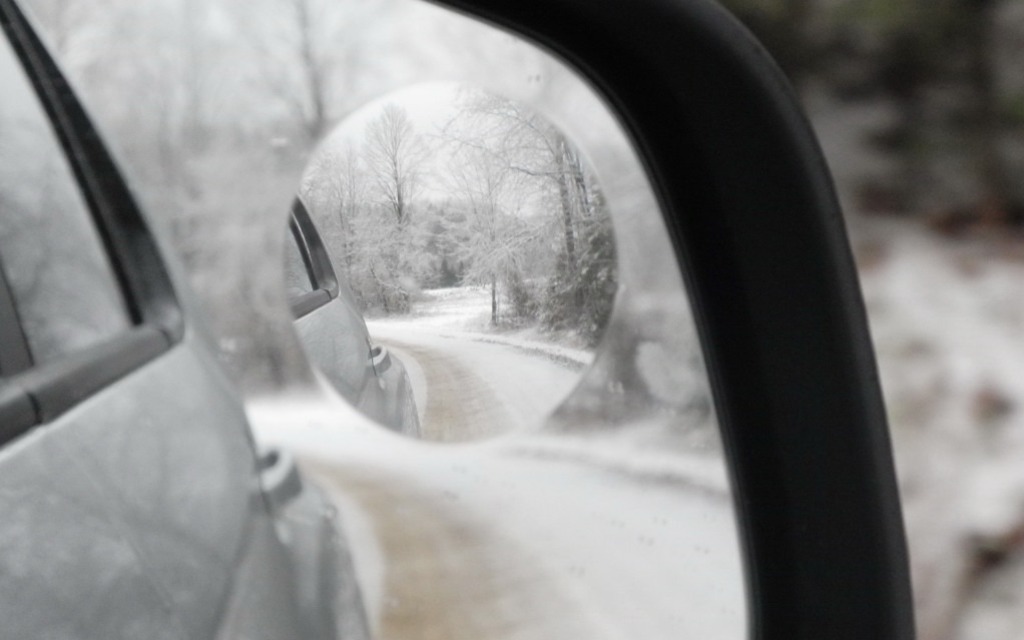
<point x="486" y="541"/>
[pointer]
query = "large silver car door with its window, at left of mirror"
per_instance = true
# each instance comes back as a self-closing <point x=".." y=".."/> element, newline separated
<point x="127" y="475"/>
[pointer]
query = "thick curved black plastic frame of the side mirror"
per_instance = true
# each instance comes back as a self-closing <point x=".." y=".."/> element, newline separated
<point x="752" y="211"/>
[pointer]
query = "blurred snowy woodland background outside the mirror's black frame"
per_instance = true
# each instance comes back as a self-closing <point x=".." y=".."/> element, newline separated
<point x="920" y="108"/>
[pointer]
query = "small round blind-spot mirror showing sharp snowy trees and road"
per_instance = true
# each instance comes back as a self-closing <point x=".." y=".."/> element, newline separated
<point x="480" y="247"/>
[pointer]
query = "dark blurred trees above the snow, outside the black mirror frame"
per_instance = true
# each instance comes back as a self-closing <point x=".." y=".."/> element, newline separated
<point x="949" y="74"/>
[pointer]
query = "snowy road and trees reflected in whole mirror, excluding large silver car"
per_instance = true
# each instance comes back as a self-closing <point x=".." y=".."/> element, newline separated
<point x="482" y="296"/>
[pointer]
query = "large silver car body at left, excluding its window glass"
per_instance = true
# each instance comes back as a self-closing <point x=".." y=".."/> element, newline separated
<point x="135" y="502"/>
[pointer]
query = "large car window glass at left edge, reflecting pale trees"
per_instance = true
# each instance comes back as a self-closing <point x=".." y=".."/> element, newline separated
<point x="61" y="280"/>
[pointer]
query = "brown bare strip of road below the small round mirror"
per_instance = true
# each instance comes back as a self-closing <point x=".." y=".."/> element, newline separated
<point x="449" y="574"/>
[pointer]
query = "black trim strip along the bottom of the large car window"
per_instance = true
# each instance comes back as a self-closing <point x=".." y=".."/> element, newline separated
<point x="52" y="390"/>
